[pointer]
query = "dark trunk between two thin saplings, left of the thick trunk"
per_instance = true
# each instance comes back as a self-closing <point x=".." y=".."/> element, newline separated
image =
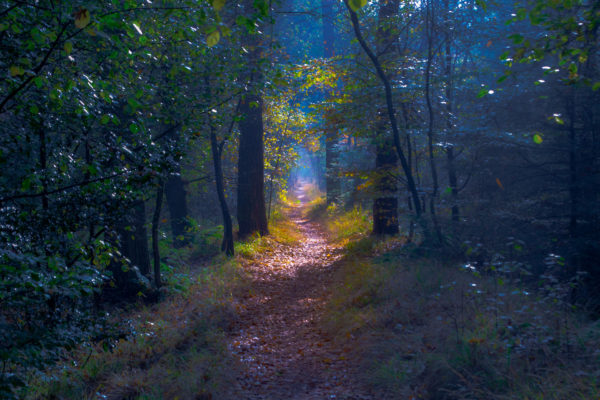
<point x="177" y="203"/>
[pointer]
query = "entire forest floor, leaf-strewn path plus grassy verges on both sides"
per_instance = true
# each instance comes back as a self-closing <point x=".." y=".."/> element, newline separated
<point x="322" y="310"/>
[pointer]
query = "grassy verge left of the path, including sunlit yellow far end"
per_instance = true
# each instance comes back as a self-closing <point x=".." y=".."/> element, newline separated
<point x="176" y="348"/>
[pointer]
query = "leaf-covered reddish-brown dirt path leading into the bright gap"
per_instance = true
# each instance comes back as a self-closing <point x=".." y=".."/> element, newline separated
<point x="283" y="352"/>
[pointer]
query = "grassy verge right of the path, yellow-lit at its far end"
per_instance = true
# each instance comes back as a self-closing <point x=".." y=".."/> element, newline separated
<point x="427" y="328"/>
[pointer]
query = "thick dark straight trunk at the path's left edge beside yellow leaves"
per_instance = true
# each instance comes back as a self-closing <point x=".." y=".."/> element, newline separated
<point x="251" y="213"/>
